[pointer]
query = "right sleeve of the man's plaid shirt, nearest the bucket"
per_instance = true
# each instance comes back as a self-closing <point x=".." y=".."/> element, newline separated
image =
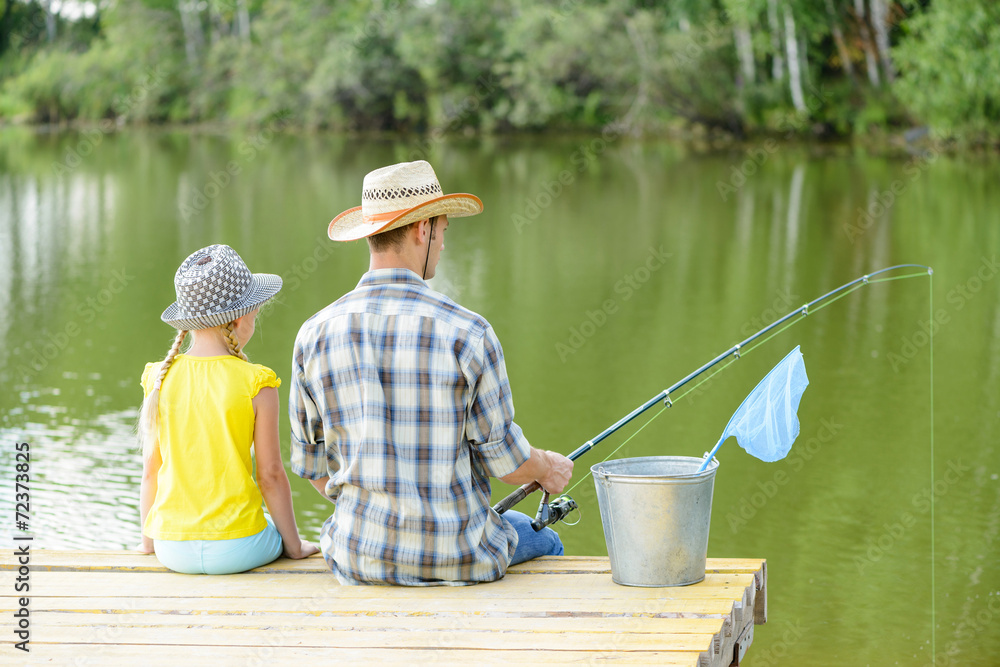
<point x="499" y="443"/>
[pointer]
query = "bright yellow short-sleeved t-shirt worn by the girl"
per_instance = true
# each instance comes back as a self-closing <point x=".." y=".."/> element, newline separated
<point x="205" y="488"/>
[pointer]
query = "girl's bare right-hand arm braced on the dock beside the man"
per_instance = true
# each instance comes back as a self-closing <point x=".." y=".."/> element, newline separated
<point x="271" y="475"/>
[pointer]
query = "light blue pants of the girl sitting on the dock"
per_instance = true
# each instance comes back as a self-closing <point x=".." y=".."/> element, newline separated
<point x="221" y="556"/>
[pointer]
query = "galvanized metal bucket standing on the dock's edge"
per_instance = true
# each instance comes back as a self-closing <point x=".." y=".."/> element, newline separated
<point x="656" y="512"/>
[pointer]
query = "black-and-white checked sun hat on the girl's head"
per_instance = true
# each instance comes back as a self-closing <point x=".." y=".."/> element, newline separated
<point x="214" y="287"/>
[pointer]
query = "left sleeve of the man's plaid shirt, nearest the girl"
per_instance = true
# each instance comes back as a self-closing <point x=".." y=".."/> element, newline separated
<point x="308" y="449"/>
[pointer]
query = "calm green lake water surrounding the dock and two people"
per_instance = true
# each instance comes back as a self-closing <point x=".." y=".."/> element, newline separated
<point x="610" y="269"/>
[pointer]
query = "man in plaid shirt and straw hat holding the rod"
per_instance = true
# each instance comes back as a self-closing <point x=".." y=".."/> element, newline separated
<point x="401" y="409"/>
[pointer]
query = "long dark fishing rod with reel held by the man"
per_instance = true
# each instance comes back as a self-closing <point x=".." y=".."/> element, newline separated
<point x="551" y="512"/>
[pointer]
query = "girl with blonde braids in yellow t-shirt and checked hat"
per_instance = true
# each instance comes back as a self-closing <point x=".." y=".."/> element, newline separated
<point x="199" y="507"/>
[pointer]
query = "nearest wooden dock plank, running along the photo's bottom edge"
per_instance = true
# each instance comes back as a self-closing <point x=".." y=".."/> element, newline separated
<point x="169" y="655"/>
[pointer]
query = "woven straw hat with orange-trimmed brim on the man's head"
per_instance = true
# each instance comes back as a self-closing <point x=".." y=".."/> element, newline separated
<point x="397" y="195"/>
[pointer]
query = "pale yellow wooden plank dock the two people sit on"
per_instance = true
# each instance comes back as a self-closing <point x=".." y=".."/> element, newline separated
<point x="118" y="607"/>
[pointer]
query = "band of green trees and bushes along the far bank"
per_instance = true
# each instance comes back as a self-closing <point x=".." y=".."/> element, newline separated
<point x="495" y="65"/>
